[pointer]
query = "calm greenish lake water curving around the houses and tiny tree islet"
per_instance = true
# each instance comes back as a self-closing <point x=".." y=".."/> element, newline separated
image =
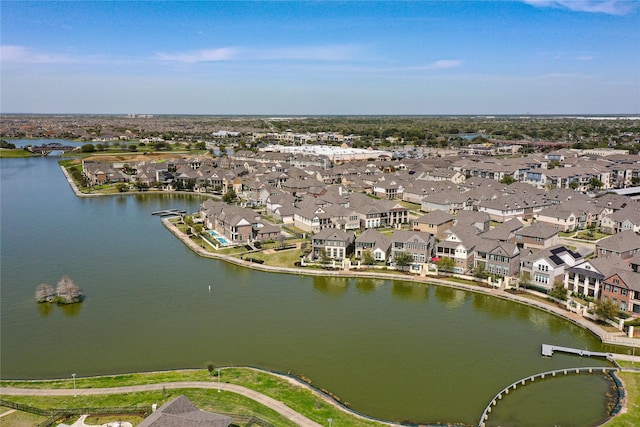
<point x="393" y="350"/>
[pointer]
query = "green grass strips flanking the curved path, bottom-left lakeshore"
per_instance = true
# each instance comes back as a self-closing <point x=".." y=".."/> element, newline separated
<point x="296" y="397"/>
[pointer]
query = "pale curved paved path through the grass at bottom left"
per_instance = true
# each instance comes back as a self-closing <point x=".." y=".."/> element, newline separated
<point x="279" y="407"/>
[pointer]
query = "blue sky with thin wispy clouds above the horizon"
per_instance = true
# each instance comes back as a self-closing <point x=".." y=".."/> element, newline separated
<point x="321" y="57"/>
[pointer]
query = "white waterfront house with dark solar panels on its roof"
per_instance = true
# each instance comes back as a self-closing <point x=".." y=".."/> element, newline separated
<point x="547" y="266"/>
